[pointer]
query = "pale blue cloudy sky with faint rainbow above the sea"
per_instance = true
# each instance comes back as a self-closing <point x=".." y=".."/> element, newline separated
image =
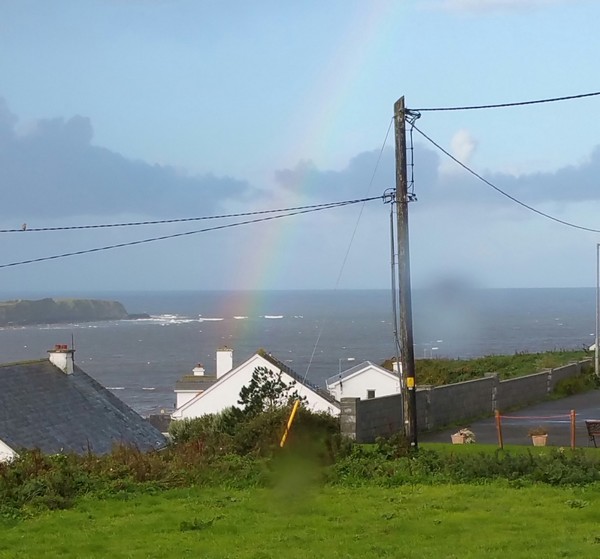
<point x="120" y="111"/>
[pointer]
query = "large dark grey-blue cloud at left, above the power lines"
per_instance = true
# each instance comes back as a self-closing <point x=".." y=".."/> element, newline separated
<point x="55" y="166"/>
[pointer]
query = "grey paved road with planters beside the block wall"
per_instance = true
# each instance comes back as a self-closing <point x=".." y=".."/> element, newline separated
<point x="554" y="415"/>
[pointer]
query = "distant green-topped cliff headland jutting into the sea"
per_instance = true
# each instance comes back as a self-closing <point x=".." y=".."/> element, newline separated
<point x="48" y="311"/>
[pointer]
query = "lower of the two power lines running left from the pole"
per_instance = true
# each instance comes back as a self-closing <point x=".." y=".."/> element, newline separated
<point x="187" y="233"/>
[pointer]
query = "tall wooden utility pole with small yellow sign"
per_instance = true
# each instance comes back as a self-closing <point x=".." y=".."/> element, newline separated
<point x="407" y="356"/>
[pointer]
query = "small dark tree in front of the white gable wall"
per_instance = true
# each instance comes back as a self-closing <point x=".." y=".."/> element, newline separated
<point x="267" y="391"/>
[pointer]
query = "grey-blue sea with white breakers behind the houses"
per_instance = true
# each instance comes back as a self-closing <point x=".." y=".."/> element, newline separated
<point x="317" y="333"/>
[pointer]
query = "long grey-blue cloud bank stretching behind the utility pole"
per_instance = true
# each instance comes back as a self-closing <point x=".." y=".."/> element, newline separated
<point x="453" y="185"/>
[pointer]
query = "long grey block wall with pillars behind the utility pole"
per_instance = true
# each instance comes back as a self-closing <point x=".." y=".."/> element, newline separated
<point x="437" y="407"/>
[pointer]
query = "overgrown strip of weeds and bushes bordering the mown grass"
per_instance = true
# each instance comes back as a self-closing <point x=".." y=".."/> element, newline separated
<point x="252" y="458"/>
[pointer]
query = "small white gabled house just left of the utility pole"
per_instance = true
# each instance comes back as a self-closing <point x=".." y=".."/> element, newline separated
<point x="366" y="380"/>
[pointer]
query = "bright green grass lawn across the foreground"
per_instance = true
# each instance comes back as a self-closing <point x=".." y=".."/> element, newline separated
<point x="289" y="521"/>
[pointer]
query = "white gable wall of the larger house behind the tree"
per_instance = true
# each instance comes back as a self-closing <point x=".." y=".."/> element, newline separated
<point x="226" y="392"/>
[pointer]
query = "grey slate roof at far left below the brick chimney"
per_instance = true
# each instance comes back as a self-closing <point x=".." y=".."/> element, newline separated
<point x="42" y="407"/>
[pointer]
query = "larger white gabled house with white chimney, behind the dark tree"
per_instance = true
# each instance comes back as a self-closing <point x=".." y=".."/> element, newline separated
<point x="223" y="390"/>
